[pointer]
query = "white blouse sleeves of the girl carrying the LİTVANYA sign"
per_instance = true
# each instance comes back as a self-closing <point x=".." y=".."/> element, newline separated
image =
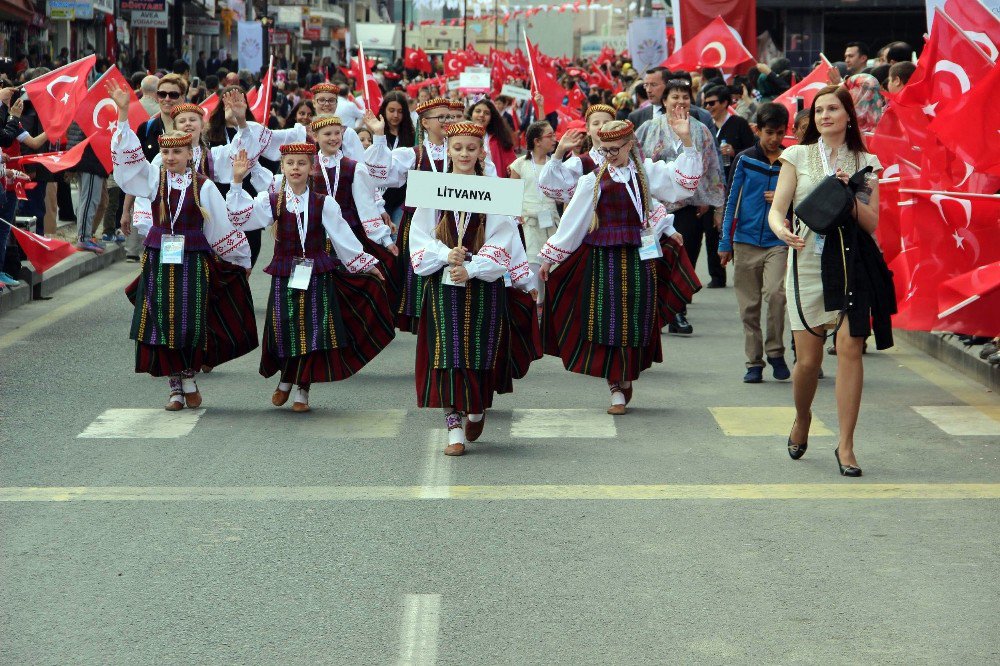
<point x="428" y="255"/>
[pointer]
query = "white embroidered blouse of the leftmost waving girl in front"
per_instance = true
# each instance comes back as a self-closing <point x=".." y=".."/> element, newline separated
<point x="135" y="176"/>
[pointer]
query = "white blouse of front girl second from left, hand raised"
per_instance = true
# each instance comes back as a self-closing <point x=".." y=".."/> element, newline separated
<point x="255" y="213"/>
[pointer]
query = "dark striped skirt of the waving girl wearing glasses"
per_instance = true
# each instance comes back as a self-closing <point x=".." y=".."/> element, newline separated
<point x="600" y="314"/>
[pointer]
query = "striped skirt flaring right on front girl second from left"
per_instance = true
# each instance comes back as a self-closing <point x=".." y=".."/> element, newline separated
<point x="327" y="332"/>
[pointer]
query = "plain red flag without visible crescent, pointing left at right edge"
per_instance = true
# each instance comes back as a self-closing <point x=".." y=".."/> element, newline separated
<point x="971" y="126"/>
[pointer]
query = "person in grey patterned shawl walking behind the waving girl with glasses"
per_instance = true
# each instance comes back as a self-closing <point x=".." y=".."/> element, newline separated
<point x="694" y="216"/>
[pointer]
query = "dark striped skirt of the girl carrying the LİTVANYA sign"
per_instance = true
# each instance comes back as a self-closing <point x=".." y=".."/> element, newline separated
<point x="461" y="333"/>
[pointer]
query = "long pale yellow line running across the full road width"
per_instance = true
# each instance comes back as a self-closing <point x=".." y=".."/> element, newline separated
<point x="852" y="490"/>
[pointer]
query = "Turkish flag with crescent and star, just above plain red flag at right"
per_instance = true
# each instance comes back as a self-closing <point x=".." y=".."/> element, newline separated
<point x="949" y="65"/>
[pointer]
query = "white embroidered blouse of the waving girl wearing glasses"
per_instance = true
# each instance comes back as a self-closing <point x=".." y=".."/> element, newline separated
<point x="579" y="213"/>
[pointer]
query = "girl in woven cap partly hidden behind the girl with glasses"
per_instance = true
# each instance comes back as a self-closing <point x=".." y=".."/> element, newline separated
<point x="559" y="177"/>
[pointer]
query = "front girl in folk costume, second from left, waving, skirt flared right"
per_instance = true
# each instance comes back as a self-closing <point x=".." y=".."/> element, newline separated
<point x="323" y="323"/>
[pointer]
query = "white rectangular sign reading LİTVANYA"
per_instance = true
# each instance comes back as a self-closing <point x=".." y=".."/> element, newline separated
<point x="470" y="194"/>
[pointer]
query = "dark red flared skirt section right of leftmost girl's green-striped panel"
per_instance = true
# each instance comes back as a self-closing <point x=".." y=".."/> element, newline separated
<point x="232" y="324"/>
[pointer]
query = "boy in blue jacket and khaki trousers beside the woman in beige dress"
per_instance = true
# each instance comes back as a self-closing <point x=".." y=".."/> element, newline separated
<point x="759" y="257"/>
